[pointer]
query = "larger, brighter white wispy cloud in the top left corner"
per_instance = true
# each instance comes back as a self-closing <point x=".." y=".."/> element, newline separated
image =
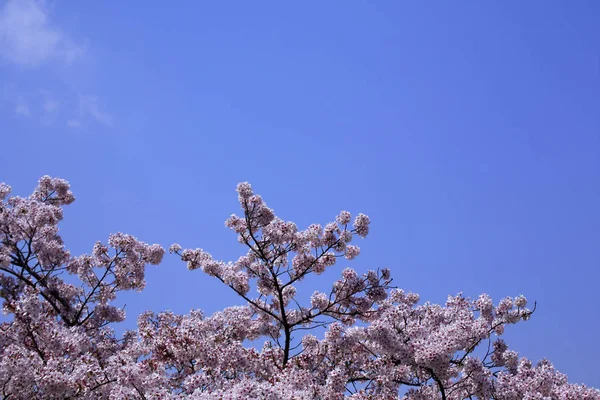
<point x="29" y="39"/>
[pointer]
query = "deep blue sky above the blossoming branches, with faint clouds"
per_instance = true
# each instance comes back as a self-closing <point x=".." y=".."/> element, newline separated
<point x="468" y="131"/>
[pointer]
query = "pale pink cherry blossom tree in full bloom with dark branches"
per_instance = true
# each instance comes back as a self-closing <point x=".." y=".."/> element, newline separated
<point x="362" y="339"/>
